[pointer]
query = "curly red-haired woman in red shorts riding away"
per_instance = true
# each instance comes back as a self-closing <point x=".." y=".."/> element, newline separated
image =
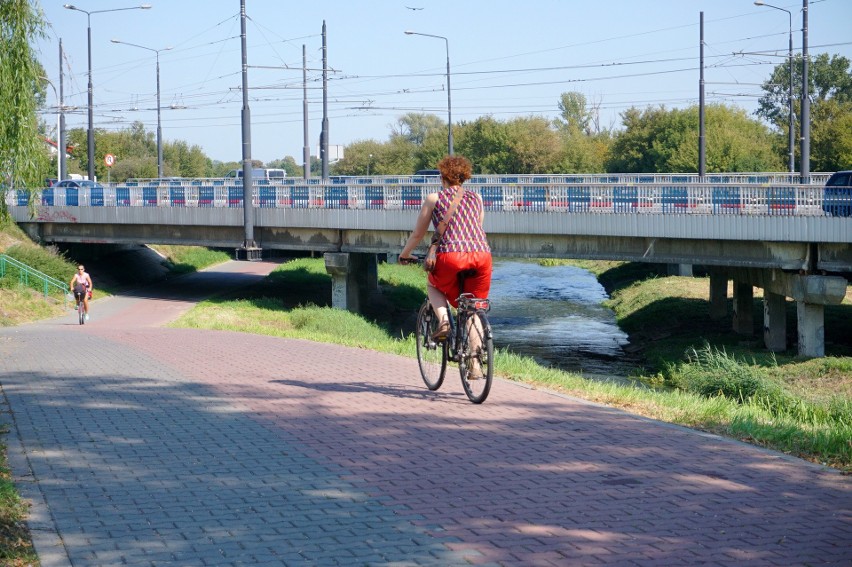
<point x="463" y="248"/>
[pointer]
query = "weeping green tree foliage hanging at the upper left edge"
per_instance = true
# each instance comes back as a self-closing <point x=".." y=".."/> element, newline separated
<point x="21" y="150"/>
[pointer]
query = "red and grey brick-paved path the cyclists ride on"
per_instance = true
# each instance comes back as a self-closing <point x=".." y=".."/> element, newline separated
<point x="143" y="445"/>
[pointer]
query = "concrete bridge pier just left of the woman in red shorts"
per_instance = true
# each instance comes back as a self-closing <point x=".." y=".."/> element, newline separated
<point x="353" y="278"/>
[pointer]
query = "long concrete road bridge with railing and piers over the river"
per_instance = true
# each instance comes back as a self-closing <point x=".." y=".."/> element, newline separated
<point x="778" y="237"/>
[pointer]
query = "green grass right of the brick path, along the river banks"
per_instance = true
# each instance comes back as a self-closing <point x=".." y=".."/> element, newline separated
<point x="777" y="402"/>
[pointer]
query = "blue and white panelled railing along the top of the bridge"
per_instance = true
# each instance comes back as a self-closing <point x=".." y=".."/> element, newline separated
<point x="604" y="198"/>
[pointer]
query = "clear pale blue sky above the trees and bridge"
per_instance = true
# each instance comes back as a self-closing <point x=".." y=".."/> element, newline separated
<point x="507" y="58"/>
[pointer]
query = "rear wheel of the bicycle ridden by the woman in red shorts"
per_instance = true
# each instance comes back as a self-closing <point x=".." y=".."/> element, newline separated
<point x="477" y="368"/>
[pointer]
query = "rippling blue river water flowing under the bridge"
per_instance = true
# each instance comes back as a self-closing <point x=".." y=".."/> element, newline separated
<point x="554" y="314"/>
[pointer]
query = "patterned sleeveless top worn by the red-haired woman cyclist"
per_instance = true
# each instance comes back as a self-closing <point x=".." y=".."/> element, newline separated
<point x="464" y="233"/>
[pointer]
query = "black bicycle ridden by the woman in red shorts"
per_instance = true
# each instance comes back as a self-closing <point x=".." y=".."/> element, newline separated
<point x="433" y="356"/>
